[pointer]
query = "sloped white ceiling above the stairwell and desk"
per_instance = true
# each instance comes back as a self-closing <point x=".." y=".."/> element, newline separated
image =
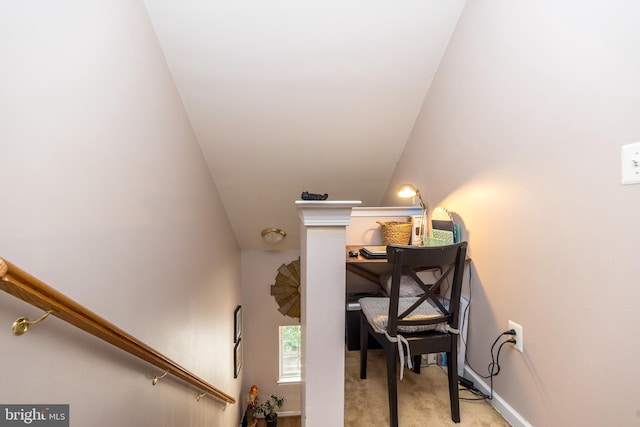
<point x="287" y="96"/>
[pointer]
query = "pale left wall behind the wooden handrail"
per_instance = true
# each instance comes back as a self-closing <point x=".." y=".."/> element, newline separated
<point x="106" y="197"/>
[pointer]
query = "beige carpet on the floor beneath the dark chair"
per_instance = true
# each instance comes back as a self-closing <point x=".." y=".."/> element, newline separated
<point x="423" y="400"/>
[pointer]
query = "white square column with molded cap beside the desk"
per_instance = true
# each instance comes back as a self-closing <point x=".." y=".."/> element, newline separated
<point x="322" y="263"/>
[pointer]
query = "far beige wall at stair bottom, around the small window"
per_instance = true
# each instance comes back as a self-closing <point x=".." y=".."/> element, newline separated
<point x="261" y="320"/>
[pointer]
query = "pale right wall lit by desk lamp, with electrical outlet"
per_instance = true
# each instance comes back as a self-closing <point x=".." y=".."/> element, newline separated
<point x="520" y="135"/>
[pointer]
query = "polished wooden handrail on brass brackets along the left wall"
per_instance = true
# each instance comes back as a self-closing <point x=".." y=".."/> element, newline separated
<point x="22" y="285"/>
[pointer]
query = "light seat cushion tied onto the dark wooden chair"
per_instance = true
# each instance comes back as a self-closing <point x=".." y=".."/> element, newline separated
<point x="377" y="312"/>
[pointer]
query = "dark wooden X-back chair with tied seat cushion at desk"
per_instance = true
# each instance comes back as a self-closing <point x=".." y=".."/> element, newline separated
<point x="416" y="325"/>
